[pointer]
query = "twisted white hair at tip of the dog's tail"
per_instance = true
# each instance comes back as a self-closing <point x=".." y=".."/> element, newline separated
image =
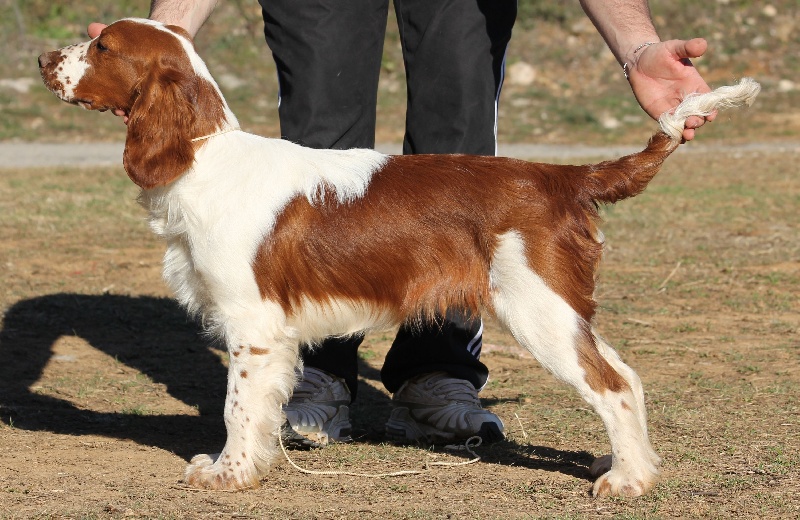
<point x="745" y="92"/>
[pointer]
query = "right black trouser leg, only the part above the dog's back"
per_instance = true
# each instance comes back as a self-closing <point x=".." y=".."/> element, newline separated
<point x="454" y="54"/>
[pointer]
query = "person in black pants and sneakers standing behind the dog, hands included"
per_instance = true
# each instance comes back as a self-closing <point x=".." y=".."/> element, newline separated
<point x="328" y="58"/>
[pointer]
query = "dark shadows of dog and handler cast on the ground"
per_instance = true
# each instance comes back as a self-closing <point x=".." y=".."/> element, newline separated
<point x="154" y="336"/>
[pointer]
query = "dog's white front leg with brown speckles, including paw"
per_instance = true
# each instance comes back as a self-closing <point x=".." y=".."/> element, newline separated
<point x="260" y="381"/>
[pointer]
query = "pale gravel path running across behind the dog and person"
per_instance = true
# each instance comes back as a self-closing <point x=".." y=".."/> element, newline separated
<point x="34" y="155"/>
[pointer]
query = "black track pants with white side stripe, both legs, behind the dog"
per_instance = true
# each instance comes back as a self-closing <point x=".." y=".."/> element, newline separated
<point x="328" y="55"/>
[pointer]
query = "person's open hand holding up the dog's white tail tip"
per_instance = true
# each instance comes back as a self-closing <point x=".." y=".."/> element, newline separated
<point x="662" y="75"/>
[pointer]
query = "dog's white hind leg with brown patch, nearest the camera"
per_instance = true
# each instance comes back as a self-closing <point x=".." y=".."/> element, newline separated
<point x="562" y="341"/>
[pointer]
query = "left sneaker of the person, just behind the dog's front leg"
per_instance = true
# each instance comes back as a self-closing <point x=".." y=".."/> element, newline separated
<point x="318" y="412"/>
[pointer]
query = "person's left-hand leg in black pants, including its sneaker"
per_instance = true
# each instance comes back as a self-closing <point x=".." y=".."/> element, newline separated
<point x="328" y="56"/>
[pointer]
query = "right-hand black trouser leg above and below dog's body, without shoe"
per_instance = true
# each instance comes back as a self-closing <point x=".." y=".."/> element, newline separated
<point x="454" y="53"/>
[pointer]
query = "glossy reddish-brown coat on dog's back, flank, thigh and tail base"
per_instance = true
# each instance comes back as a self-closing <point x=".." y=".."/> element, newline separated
<point x="424" y="234"/>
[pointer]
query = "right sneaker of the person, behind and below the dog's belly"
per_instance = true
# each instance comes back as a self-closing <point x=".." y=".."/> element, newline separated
<point x="436" y="408"/>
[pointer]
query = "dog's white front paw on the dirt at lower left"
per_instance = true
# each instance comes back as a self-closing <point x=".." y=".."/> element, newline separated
<point x="219" y="472"/>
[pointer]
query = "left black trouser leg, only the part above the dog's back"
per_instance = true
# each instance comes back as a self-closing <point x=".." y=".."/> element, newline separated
<point x="328" y="57"/>
